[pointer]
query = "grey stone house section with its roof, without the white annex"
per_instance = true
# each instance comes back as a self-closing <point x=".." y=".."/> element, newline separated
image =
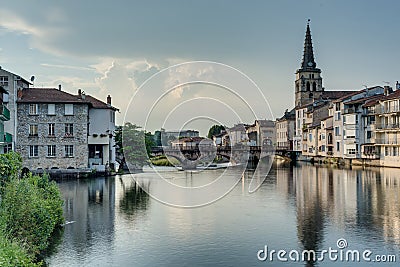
<point x="52" y="129"/>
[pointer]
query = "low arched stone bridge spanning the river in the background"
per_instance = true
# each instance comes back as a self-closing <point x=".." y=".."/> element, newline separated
<point x="190" y="156"/>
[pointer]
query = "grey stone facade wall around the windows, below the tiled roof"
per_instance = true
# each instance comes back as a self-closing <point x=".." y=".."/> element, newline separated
<point x="78" y="140"/>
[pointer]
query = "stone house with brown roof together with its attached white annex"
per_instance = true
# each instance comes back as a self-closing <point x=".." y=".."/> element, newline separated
<point x="53" y="128"/>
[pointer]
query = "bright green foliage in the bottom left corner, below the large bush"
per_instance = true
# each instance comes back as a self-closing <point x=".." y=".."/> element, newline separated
<point x="11" y="254"/>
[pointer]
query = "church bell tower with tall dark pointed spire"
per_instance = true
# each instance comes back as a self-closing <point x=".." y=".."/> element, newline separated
<point x="308" y="84"/>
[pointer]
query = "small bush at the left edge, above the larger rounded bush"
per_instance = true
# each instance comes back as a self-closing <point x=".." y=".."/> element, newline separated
<point x="10" y="167"/>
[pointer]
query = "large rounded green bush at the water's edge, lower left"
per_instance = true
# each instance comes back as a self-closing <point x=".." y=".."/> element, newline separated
<point x="31" y="208"/>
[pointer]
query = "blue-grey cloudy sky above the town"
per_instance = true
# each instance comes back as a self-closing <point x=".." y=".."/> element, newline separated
<point x="113" y="47"/>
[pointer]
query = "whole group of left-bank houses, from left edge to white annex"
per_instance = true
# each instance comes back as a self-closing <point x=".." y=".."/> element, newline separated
<point x="53" y="129"/>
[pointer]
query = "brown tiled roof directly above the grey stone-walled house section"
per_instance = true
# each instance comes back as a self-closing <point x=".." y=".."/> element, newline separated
<point x="48" y="95"/>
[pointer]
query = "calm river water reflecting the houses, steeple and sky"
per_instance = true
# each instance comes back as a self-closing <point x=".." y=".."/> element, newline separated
<point x="298" y="208"/>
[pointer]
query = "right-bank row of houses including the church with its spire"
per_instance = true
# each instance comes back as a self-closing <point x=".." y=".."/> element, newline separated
<point x="352" y="125"/>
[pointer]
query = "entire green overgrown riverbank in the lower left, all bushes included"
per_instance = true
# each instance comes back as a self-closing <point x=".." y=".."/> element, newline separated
<point x="30" y="211"/>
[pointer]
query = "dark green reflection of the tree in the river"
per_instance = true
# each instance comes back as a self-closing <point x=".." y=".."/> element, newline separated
<point x="134" y="200"/>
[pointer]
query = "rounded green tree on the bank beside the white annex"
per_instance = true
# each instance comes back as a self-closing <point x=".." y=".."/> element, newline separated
<point x="134" y="143"/>
